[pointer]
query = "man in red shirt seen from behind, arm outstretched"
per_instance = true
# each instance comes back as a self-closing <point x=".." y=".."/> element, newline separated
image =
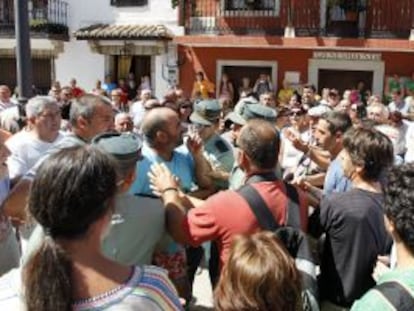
<point x="226" y="214"/>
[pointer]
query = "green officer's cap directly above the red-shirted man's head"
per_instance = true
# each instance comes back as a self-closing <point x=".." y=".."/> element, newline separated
<point x="252" y="111"/>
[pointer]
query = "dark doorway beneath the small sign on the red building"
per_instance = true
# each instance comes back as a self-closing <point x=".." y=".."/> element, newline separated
<point x="343" y="79"/>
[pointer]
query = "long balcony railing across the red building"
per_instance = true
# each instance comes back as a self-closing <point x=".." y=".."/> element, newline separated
<point x="371" y="18"/>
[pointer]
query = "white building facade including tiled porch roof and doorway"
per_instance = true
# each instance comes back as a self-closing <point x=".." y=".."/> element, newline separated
<point x="119" y="37"/>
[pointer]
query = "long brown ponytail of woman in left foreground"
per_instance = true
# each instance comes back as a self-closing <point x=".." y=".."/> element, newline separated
<point x="47" y="279"/>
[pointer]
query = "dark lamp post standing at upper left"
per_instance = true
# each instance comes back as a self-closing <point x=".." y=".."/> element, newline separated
<point x="23" y="56"/>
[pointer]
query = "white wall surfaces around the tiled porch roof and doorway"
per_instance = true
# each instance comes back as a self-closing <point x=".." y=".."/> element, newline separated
<point x="80" y="62"/>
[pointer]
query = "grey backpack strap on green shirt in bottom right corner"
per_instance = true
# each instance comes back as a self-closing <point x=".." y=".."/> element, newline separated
<point x="397" y="295"/>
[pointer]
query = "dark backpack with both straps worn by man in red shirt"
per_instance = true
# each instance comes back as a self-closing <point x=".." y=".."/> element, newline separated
<point x="293" y="238"/>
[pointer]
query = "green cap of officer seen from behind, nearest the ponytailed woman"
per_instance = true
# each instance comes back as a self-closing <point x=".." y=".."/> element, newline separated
<point x="123" y="146"/>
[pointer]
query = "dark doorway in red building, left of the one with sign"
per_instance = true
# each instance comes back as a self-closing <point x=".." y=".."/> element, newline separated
<point x="237" y="73"/>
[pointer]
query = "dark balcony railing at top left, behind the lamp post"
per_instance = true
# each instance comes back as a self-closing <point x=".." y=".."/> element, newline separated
<point x="46" y="17"/>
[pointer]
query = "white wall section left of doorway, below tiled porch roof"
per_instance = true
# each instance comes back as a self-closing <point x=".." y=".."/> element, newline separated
<point x="79" y="62"/>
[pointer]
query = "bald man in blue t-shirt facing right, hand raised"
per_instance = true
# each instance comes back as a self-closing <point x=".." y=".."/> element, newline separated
<point x="162" y="133"/>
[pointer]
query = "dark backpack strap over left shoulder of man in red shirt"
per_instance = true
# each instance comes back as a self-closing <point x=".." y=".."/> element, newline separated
<point x="259" y="208"/>
